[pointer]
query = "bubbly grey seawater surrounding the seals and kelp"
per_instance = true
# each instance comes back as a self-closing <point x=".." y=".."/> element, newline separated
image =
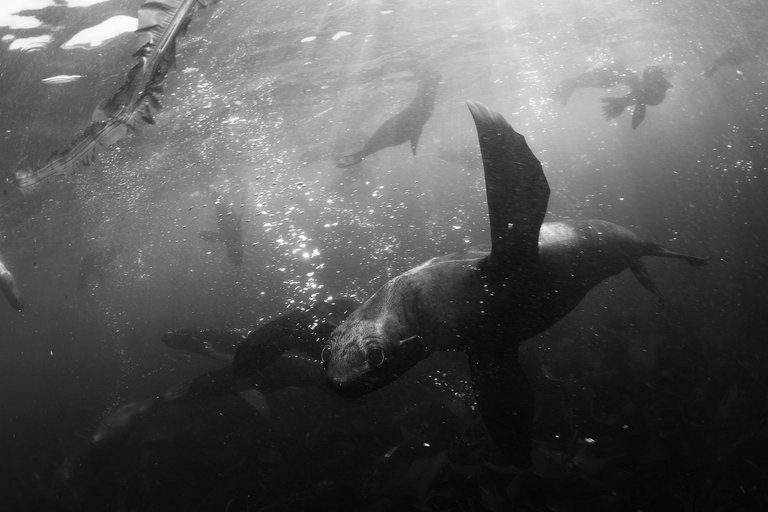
<point x="639" y="405"/>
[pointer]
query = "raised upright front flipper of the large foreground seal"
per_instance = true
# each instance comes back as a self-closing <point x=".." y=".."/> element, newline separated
<point x="516" y="188"/>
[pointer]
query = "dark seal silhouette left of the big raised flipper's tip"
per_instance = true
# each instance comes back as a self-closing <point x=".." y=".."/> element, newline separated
<point x="406" y="126"/>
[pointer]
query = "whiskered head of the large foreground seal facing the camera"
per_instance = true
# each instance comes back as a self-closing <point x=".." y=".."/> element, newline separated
<point x="363" y="355"/>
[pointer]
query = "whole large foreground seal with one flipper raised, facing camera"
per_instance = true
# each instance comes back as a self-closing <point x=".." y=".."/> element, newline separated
<point x="486" y="302"/>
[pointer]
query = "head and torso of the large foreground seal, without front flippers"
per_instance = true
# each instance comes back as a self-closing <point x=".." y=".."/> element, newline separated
<point x="445" y="302"/>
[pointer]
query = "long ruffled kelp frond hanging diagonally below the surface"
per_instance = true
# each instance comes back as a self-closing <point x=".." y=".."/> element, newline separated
<point x="136" y="103"/>
